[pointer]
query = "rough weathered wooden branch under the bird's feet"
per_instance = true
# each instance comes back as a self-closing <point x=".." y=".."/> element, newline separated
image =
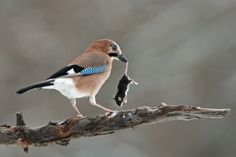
<point x="61" y="132"/>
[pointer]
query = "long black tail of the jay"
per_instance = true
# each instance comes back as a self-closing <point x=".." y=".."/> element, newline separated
<point x="36" y="85"/>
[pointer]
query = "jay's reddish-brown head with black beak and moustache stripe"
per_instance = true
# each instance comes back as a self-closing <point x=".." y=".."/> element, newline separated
<point x="109" y="48"/>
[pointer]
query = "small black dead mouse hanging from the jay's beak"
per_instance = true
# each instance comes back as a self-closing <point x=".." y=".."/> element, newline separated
<point x="123" y="88"/>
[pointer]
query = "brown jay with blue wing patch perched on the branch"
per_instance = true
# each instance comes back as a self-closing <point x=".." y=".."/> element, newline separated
<point x="85" y="75"/>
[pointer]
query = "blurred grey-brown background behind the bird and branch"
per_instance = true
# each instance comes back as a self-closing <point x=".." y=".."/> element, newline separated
<point x="180" y="52"/>
